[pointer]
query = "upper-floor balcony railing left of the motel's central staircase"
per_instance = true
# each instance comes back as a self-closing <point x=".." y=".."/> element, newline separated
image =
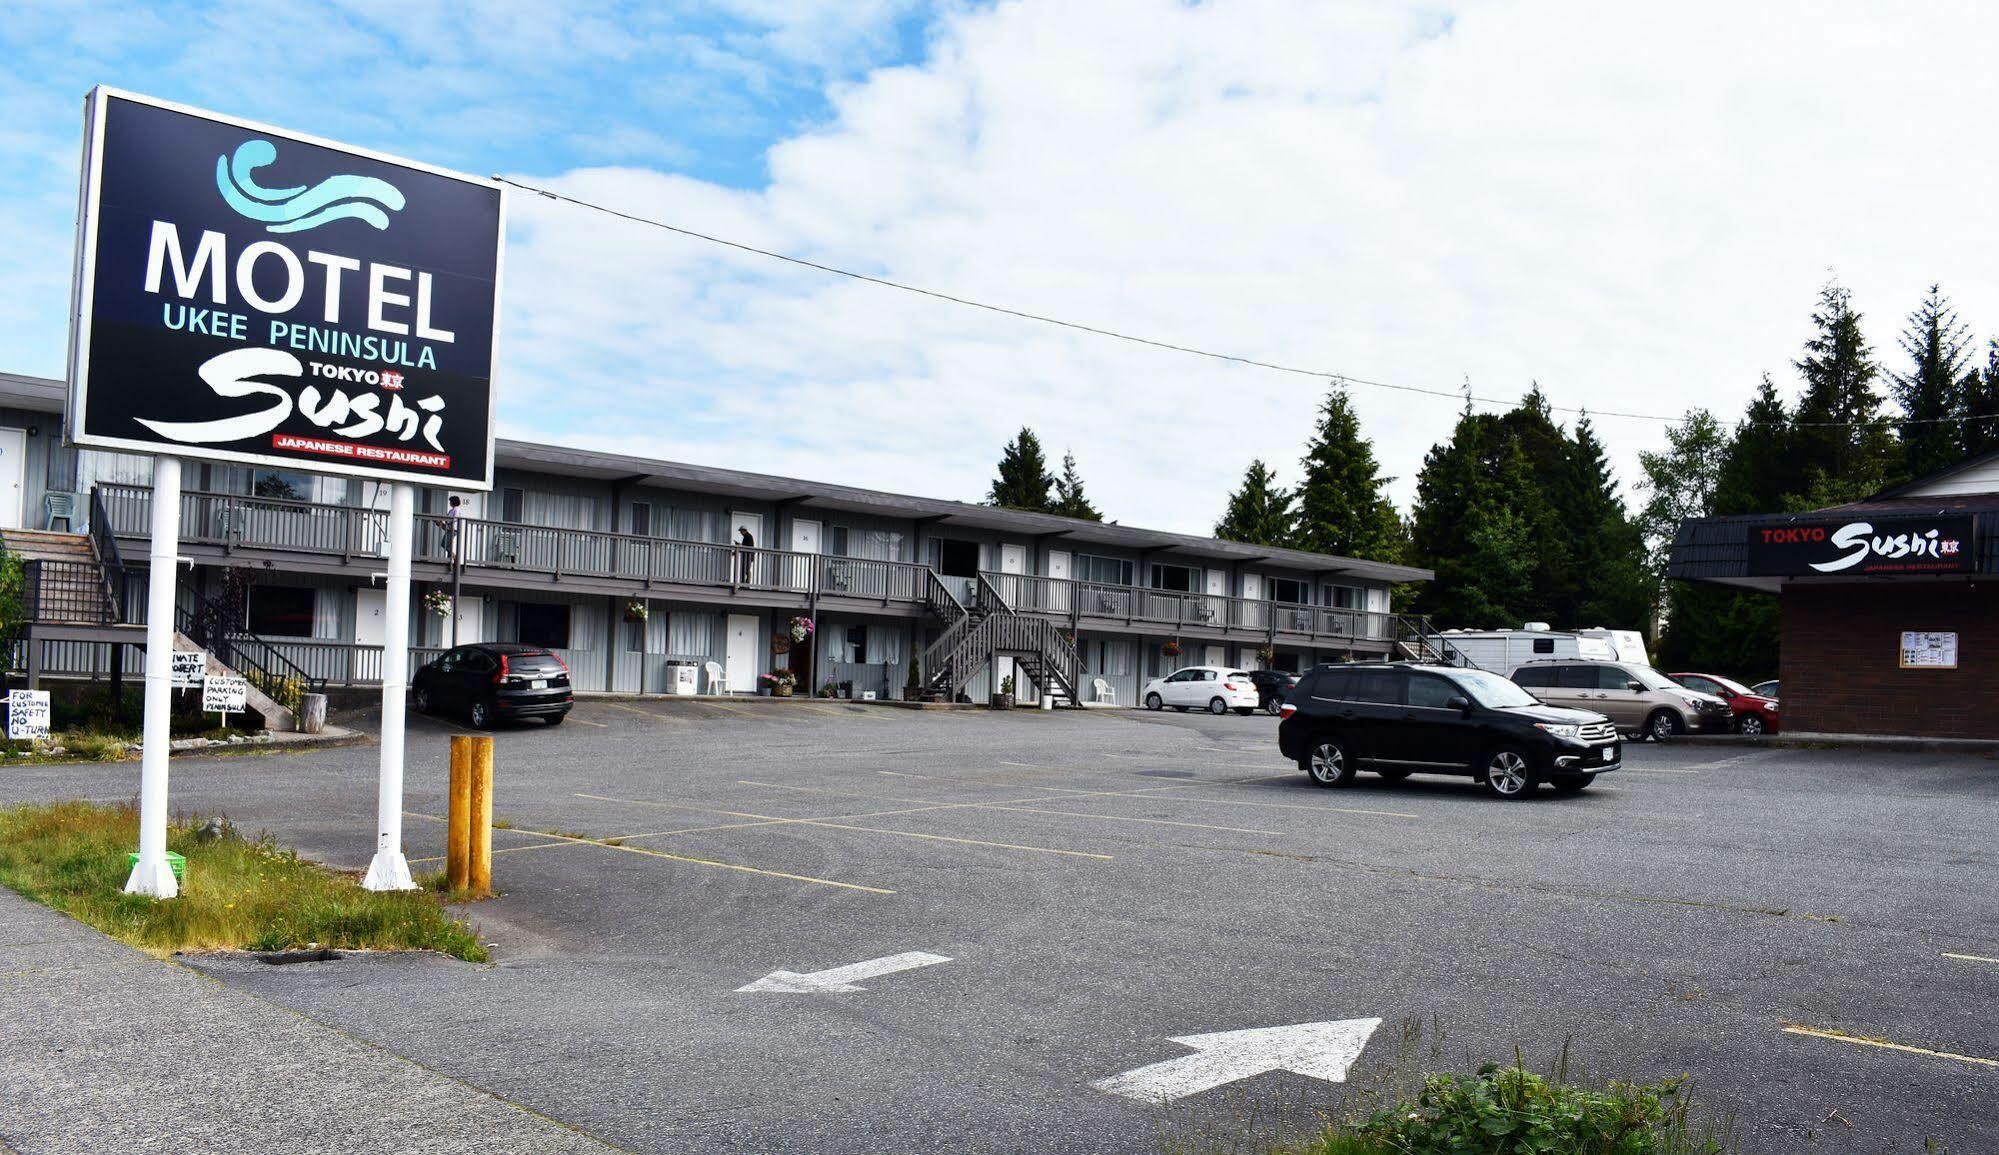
<point x="237" y="521"/>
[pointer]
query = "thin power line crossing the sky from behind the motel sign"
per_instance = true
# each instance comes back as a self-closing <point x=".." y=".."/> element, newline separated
<point x="1464" y="395"/>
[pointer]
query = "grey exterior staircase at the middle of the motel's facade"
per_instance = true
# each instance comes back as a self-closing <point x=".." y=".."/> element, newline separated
<point x="991" y="628"/>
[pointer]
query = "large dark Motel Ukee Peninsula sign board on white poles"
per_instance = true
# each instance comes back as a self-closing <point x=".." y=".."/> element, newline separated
<point x="249" y="295"/>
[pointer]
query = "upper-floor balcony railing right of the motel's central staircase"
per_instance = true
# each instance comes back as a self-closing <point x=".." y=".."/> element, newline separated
<point x="1132" y="604"/>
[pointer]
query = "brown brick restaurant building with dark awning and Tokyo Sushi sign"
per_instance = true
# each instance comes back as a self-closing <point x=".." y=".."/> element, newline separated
<point x="1890" y="604"/>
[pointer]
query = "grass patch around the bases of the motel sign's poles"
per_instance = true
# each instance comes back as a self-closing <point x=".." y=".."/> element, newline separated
<point x="241" y="894"/>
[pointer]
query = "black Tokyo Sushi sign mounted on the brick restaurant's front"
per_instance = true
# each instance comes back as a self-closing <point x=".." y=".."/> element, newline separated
<point x="1864" y="545"/>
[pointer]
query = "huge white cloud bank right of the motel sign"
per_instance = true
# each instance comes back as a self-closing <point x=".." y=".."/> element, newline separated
<point x="1634" y="211"/>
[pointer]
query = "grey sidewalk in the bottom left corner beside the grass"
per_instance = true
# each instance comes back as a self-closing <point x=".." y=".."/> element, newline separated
<point x="109" y="1050"/>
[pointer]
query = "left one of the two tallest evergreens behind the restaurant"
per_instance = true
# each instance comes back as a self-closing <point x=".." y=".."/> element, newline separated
<point x="1846" y="449"/>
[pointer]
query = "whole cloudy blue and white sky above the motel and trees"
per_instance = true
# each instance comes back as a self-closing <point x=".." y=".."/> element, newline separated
<point x="1630" y="207"/>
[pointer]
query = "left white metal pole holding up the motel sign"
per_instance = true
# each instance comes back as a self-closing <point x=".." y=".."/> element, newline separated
<point x="153" y="876"/>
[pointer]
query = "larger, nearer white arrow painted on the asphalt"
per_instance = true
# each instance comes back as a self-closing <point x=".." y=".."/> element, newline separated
<point x="1314" y="1050"/>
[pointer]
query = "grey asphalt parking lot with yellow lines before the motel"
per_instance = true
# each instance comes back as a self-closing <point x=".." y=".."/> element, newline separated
<point x="1060" y="896"/>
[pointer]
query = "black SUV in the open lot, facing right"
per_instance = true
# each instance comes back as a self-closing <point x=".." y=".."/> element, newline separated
<point x="1400" y="720"/>
